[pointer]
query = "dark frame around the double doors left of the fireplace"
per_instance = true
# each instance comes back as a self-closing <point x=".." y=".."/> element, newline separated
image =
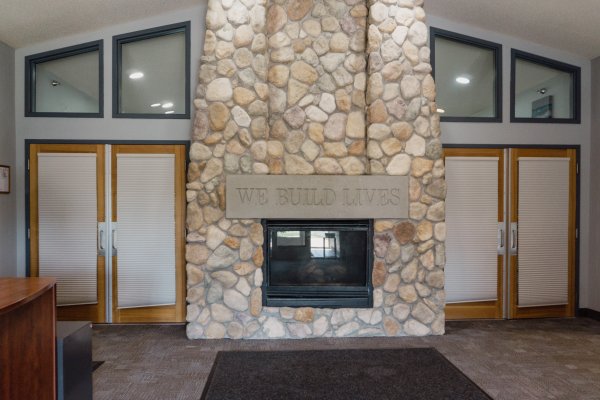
<point x="29" y="142"/>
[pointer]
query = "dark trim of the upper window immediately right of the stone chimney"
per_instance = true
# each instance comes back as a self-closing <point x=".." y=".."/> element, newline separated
<point x="472" y="41"/>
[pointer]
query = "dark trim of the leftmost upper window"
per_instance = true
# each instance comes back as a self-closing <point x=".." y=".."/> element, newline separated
<point x="34" y="59"/>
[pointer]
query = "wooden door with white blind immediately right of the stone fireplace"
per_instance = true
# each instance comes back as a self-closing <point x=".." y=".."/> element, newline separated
<point x="475" y="233"/>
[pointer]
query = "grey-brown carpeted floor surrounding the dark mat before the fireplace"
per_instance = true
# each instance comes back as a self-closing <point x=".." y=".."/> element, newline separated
<point x="512" y="360"/>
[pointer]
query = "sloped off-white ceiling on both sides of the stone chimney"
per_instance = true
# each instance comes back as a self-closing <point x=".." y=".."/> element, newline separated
<point x="566" y="25"/>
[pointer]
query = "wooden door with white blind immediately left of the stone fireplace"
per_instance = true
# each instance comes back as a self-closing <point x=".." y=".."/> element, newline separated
<point x="148" y="206"/>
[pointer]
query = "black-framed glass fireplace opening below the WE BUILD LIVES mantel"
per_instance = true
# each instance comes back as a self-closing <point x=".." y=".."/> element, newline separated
<point x="318" y="263"/>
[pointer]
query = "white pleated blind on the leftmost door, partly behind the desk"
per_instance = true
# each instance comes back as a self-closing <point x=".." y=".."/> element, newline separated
<point x="67" y="210"/>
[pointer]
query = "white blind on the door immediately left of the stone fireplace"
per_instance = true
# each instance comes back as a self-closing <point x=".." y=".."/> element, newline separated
<point x="146" y="230"/>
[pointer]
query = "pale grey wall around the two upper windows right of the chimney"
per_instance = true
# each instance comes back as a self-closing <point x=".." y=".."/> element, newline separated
<point x="539" y="134"/>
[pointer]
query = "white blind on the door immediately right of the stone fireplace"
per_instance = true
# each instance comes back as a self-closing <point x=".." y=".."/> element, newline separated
<point x="472" y="229"/>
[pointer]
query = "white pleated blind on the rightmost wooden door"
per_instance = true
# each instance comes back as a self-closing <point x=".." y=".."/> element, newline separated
<point x="543" y="231"/>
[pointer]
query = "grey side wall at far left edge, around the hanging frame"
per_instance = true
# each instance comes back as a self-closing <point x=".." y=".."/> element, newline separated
<point x="8" y="221"/>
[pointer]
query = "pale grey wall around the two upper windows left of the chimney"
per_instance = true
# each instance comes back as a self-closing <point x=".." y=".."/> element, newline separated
<point x="105" y="128"/>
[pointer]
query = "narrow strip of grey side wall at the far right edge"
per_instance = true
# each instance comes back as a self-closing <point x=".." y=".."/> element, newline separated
<point x="594" y="301"/>
